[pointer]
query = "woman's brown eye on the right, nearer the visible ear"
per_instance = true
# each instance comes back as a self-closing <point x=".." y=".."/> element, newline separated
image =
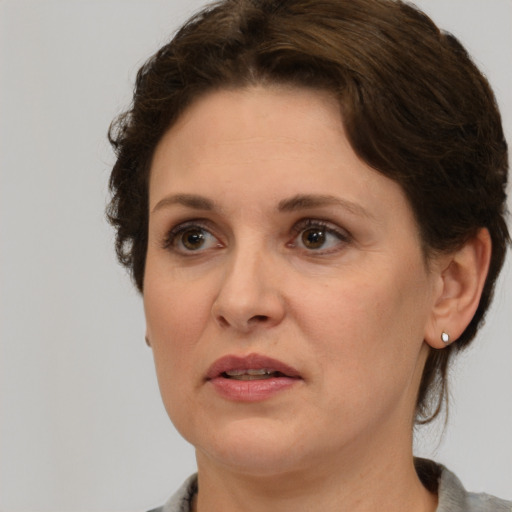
<point x="320" y="236"/>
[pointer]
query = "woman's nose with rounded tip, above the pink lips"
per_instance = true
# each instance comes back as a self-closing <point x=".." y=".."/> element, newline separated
<point x="249" y="295"/>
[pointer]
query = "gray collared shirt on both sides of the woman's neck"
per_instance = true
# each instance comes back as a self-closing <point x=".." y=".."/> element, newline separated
<point x="452" y="495"/>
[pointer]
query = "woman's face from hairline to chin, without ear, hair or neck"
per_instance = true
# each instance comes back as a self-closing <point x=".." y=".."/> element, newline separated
<point x="285" y="290"/>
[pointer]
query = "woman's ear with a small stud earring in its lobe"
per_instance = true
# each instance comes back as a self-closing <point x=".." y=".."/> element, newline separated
<point x="461" y="278"/>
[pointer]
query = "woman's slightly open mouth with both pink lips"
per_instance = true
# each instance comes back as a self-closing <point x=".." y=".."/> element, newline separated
<point x="252" y="378"/>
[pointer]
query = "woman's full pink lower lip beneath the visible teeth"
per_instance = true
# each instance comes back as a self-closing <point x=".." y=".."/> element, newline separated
<point x="251" y="390"/>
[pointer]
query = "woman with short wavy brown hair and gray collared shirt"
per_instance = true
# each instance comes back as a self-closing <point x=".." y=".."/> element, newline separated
<point x="310" y="196"/>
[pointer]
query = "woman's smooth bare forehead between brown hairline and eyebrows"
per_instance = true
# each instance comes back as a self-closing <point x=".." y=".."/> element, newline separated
<point x="261" y="145"/>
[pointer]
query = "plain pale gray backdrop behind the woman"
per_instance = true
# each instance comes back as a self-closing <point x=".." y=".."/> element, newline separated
<point x="82" y="426"/>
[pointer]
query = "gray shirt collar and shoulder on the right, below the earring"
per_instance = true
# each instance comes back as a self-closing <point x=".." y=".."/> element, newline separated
<point x="453" y="497"/>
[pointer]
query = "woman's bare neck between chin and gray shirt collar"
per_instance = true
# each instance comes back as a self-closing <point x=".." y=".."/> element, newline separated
<point x="387" y="480"/>
